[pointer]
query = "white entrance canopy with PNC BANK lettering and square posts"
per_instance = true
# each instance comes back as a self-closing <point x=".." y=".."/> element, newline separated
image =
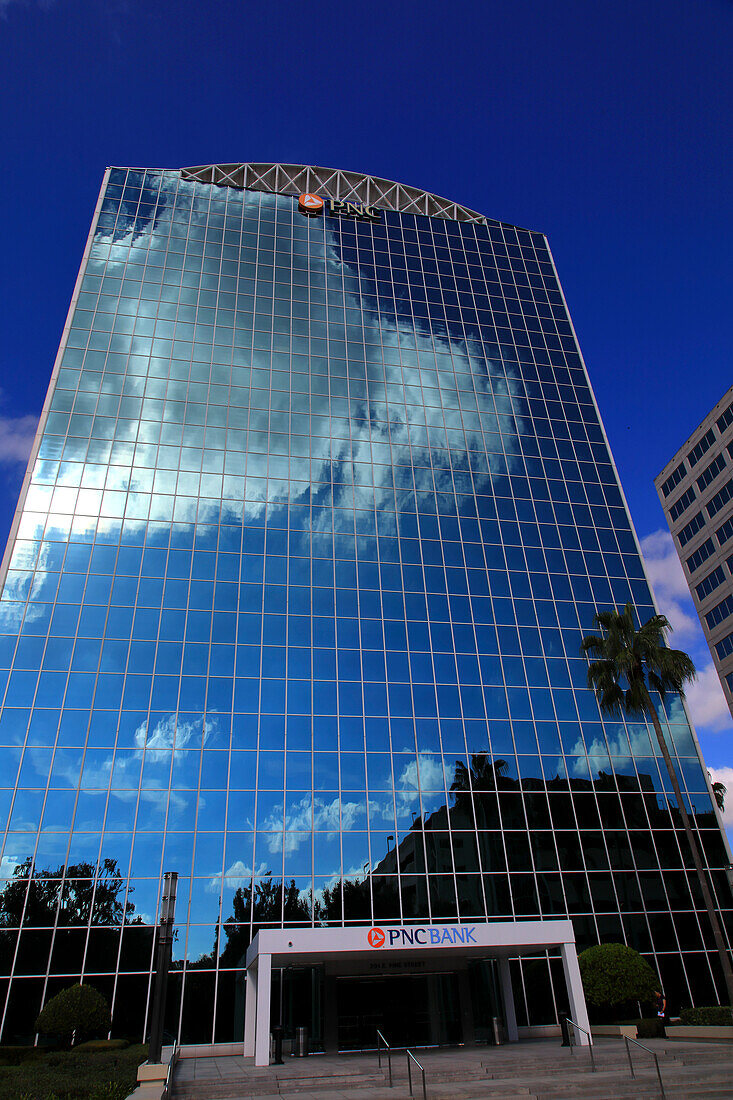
<point x="276" y="948"/>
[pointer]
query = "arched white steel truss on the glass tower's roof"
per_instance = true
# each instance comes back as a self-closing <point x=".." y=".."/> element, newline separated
<point x="332" y="183"/>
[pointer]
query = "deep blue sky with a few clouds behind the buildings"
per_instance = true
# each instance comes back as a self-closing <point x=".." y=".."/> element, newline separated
<point x="605" y="125"/>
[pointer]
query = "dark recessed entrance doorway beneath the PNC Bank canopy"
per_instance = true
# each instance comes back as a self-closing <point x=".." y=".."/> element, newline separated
<point x="410" y="1010"/>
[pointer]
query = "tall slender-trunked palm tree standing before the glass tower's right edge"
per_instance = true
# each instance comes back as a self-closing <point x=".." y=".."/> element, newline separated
<point x="628" y="666"/>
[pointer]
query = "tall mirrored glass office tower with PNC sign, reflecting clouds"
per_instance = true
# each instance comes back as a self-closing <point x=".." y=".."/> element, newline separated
<point x="320" y="510"/>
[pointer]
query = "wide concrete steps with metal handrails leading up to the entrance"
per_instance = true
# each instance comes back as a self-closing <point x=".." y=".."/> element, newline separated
<point x="528" y="1072"/>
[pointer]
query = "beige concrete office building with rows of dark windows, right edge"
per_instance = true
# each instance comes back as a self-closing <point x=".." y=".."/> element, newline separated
<point x="696" y="491"/>
